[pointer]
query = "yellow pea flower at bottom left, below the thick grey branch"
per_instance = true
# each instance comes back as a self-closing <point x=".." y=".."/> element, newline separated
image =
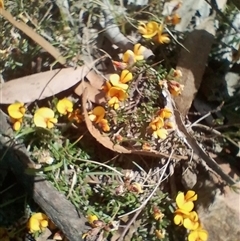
<point x="37" y="222"/>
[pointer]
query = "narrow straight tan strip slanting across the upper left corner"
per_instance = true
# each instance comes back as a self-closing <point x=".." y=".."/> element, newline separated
<point x="34" y="36"/>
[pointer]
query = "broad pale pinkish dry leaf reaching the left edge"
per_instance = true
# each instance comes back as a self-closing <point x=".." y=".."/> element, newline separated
<point x="41" y="85"/>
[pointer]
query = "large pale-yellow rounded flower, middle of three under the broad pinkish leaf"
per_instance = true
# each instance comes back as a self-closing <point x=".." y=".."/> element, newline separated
<point x="44" y="117"/>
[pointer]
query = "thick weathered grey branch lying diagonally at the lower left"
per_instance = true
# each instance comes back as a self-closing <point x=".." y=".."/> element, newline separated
<point x="54" y="204"/>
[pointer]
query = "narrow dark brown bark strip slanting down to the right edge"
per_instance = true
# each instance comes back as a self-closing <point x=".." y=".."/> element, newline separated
<point x="199" y="151"/>
